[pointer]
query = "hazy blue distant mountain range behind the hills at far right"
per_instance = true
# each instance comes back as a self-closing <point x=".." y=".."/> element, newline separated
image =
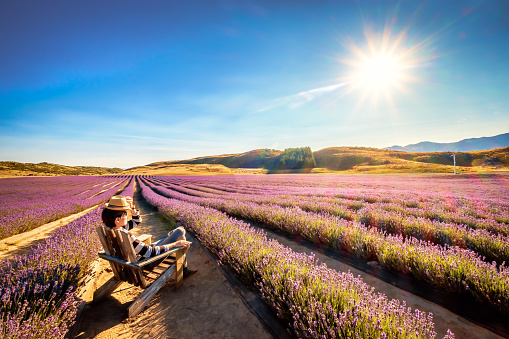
<point x="465" y="145"/>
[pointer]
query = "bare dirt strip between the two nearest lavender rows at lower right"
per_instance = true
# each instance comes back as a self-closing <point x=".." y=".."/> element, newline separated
<point x="443" y="318"/>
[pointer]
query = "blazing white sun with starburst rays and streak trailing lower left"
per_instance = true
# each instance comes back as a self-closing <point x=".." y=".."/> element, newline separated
<point x="377" y="70"/>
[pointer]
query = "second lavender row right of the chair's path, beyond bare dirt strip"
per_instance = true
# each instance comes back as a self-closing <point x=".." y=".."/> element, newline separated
<point x="450" y="268"/>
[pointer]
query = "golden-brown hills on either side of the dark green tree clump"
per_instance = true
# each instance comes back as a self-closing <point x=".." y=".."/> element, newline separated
<point x="357" y="159"/>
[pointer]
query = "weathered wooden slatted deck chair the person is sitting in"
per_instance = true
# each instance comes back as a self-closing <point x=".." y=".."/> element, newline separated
<point x="119" y="251"/>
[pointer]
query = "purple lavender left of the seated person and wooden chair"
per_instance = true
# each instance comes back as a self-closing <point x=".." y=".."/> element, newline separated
<point x="38" y="291"/>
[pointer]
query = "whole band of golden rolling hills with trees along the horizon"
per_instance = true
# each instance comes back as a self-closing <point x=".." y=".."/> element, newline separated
<point x="297" y="160"/>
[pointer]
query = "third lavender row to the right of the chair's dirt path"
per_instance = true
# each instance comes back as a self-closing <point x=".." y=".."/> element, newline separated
<point x="492" y="247"/>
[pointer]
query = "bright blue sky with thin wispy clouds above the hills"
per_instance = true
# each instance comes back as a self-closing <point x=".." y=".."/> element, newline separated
<point x="127" y="83"/>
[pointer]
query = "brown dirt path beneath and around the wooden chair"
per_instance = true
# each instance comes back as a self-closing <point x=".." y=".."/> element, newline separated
<point x="206" y="306"/>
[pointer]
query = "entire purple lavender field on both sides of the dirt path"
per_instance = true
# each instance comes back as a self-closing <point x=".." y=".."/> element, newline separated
<point x="449" y="232"/>
